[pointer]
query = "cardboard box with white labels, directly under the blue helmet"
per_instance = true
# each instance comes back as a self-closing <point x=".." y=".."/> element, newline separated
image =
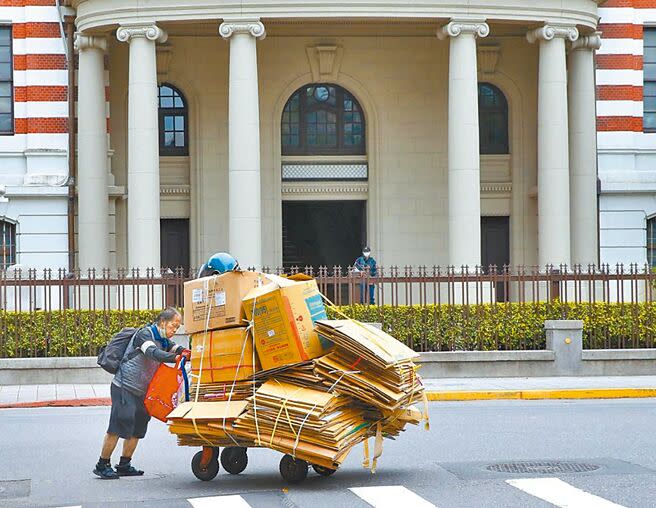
<point x="215" y="302"/>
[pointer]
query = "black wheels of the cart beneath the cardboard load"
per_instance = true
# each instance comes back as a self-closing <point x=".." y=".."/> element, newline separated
<point x="234" y="459"/>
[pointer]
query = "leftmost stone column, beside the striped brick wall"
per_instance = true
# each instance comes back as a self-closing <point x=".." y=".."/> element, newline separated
<point x="93" y="197"/>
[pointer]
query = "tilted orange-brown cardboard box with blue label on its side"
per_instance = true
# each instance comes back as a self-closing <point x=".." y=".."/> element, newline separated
<point x="284" y="313"/>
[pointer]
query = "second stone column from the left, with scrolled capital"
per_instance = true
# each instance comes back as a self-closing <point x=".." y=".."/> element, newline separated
<point x="143" y="145"/>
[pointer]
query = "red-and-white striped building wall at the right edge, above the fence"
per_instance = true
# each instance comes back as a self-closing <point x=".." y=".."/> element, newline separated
<point x="626" y="107"/>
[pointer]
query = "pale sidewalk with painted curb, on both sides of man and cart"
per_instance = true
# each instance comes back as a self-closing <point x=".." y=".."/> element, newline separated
<point x="445" y="389"/>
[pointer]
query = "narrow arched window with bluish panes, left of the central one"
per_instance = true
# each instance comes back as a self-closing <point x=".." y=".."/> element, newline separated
<point x="173" y="122"/>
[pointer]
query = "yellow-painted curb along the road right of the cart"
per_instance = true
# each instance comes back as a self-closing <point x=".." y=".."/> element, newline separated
<point x="574" y="393"/>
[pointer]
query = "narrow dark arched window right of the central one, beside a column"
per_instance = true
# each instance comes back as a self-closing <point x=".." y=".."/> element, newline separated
<point x="492" y="120"/>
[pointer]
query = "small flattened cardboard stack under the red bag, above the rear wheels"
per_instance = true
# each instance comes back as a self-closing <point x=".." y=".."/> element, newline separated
<point x="190" y="422"/>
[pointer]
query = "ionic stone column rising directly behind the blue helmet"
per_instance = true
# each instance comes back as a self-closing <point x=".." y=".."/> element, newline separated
<point x="245" y="221"/>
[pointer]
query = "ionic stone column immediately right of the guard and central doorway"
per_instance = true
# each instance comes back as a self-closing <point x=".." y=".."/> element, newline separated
<point x="464" y="159"/>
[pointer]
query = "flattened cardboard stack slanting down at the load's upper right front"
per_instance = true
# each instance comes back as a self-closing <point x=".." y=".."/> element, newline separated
<point x="369" y="365"/>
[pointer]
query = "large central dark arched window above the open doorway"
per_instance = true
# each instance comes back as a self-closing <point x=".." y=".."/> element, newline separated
<point x="322" y="119"/>
